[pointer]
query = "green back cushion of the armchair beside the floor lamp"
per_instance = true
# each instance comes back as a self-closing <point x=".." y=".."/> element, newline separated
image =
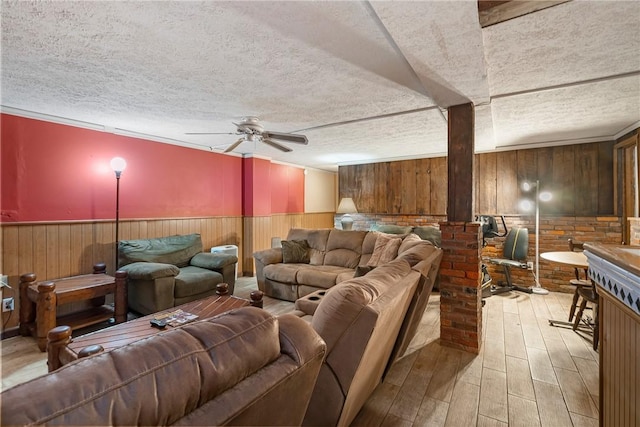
<point x="175" y="250"/>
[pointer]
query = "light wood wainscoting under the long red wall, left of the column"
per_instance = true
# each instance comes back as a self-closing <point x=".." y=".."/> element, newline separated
<point x="61" y="249"/>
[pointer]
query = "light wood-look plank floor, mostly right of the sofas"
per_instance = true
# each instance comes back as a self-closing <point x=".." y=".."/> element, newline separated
<point x="528" y="373"/>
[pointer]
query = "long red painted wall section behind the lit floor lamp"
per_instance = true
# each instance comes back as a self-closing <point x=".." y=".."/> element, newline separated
<point x="53" y="172"/>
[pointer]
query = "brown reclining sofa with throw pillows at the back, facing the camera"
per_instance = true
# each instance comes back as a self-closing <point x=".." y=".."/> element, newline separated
<point x="334" y="256"/>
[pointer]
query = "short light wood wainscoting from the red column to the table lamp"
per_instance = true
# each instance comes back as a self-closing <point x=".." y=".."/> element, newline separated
<point x="259" y="230"/>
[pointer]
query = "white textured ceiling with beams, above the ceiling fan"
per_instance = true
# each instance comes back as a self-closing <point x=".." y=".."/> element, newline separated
<point x="158" y="70"/>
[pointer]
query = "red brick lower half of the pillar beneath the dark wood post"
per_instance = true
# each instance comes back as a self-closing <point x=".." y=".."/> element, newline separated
<point x="460" y="286"/>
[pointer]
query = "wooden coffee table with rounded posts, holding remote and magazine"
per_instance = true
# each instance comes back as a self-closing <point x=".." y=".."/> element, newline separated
<point x="62" y="349"/>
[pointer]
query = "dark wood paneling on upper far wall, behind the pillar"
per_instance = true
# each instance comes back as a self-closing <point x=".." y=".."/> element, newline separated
<point x="579" y="176"/>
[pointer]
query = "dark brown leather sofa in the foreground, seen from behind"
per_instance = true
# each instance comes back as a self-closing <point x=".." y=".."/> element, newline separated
<point x="239" y="368"/>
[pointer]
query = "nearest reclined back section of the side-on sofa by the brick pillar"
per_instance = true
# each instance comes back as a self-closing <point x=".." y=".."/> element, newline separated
<point x="359" y="320"/>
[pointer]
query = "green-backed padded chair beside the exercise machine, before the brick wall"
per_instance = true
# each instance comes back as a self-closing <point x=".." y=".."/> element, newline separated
<point x="516" y="246"/>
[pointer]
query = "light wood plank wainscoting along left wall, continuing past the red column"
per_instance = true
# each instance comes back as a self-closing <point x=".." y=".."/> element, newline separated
<point x="61" y="249"/>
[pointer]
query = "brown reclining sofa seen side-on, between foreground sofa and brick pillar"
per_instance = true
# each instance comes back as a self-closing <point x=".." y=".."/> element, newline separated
<point x="367" y="323"/>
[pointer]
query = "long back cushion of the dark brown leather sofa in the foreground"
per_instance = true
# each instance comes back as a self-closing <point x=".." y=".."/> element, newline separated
<point x="155" y="381"/>
